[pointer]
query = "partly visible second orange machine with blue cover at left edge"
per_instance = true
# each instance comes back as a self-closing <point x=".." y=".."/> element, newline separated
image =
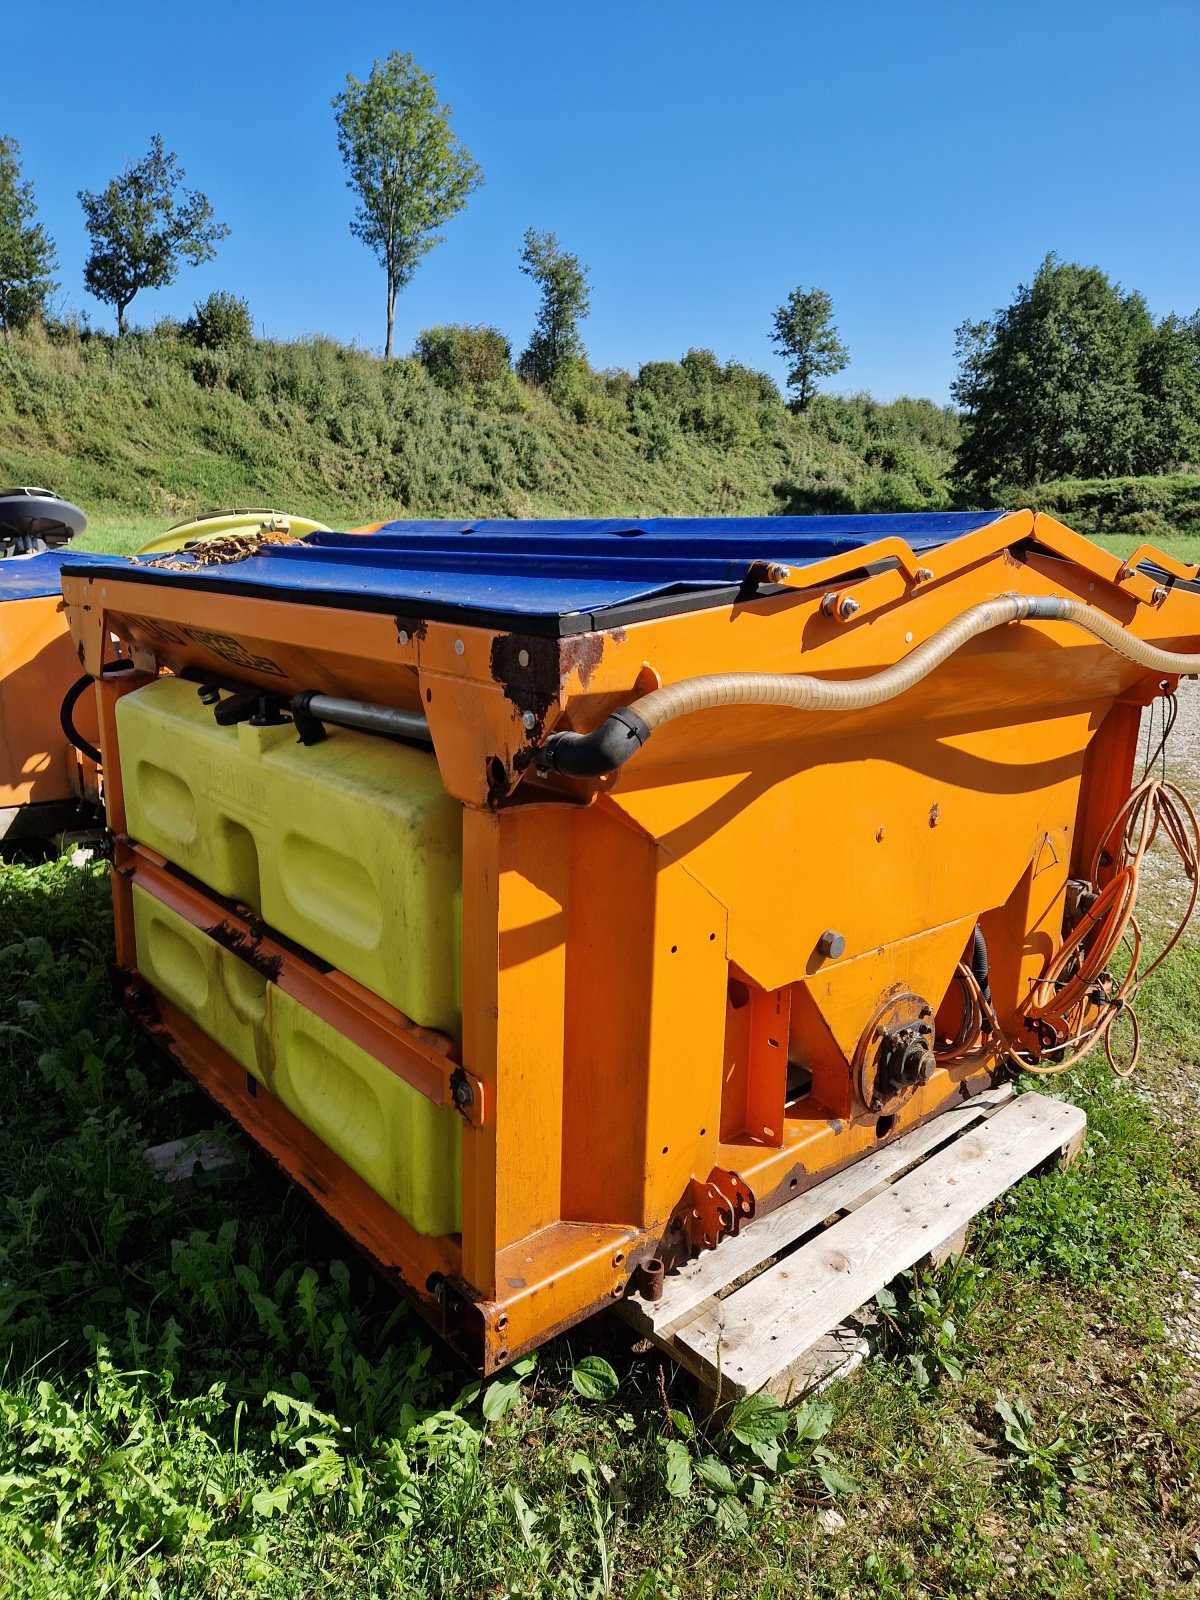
<point x="42" y="778"/>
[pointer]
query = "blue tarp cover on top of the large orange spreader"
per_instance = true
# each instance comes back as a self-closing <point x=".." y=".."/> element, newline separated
<point x="550" y="570"/>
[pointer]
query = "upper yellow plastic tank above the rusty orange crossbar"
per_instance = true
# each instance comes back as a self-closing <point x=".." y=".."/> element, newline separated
<point x="350" y="847"/>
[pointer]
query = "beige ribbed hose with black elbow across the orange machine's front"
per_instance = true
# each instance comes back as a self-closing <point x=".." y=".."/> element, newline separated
<point x="623" y="734"/>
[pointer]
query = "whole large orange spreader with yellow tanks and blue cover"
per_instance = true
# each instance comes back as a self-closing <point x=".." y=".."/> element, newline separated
<point x="548" y="898"/>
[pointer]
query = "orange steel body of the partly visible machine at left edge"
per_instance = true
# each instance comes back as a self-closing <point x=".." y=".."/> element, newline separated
<point x="38" y="668"/>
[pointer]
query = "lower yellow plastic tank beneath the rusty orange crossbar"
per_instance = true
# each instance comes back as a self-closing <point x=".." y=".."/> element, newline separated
<point x="401" y="1143"/>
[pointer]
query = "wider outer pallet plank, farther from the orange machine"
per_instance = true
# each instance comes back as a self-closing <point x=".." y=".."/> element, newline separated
<point x="759" y="1332"/>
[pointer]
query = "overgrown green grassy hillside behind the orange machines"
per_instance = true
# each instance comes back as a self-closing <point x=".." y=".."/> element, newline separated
<point x="151" y="430"/>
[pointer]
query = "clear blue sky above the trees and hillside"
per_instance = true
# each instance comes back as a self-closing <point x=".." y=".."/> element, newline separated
<point x="913" y="159"/>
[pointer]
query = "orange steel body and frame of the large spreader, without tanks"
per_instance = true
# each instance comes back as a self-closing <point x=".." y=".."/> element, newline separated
<point x="641" y="951"/>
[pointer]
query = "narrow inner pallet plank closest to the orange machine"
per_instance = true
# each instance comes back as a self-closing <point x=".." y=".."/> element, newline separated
<point x="767" y="1236"/>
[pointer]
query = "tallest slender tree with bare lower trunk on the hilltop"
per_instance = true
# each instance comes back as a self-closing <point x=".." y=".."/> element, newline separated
<point x="409" y="170"/>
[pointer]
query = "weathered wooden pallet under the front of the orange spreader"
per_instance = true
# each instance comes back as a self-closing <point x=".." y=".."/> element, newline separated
<point x="769" y="1308"/>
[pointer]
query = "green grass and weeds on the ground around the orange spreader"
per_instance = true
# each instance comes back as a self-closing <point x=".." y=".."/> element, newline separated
<point x="210" y="1396"/>
